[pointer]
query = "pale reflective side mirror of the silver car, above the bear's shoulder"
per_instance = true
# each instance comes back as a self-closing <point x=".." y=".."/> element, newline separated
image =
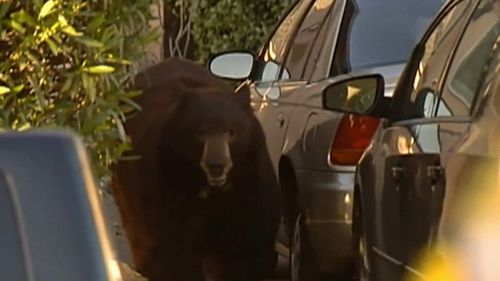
<point x="234" y="65"/>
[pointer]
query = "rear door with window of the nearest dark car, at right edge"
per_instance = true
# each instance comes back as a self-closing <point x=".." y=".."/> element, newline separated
<point x="470" y="155"/>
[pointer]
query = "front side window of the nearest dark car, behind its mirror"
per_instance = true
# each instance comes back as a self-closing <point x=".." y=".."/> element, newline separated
<point x="429" y="65"/>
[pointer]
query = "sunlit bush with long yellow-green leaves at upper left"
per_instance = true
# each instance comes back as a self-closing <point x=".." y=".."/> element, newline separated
<point x="67" y="63"/>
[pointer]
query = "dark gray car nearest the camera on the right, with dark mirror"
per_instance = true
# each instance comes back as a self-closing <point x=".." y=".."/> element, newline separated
<point x="432" y="170"/>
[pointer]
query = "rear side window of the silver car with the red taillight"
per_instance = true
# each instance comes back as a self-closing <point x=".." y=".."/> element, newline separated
<point x="307" y="36"/>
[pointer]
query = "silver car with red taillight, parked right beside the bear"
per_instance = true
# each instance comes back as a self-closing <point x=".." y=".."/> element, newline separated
<point x="314" y="151"/>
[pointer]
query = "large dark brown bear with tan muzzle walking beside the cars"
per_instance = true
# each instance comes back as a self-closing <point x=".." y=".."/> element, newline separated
<point x="202" y="201"/>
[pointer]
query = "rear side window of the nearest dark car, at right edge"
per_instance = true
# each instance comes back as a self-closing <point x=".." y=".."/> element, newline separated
<point x="472" y="58"/>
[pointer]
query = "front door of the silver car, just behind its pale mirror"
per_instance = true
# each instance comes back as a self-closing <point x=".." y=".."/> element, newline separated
<point x="272" y="100"/>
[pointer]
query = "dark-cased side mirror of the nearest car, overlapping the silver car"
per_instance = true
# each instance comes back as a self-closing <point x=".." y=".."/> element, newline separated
<point x="358" y="95"/>
